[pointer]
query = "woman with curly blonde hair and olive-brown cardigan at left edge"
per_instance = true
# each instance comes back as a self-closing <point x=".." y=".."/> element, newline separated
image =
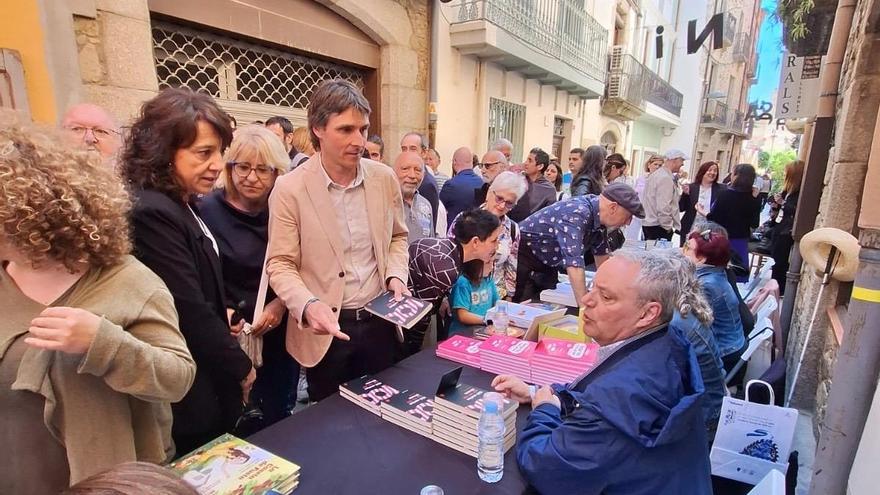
<point x="90" y="351"/>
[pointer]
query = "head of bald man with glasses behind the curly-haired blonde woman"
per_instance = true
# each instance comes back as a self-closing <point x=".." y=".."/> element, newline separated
<point x="92" y="128"/>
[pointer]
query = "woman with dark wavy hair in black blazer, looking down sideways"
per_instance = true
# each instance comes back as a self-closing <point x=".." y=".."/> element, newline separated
<point x="173" y="154"/>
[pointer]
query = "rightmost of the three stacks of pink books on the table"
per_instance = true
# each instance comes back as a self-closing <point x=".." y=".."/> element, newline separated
<point x="561" y="361"/>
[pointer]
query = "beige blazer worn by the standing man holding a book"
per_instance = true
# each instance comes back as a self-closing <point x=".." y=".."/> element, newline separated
<point x="304" y="256"/>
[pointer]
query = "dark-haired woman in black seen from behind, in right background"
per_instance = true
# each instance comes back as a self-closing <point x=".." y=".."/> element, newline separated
<point x="738" y="210"/>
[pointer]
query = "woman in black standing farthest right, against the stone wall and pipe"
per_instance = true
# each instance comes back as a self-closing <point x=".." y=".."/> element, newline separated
<point x="781" y="240"/>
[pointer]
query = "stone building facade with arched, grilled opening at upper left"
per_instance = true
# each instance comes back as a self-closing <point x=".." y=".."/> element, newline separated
<point x="258" y="58"/>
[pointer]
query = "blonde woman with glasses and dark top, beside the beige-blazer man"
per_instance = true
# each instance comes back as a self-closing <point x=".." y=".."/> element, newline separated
<point x="237" y="213"/>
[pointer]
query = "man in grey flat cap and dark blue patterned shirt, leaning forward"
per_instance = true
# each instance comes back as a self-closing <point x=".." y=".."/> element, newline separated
<point x="558" y="235"/>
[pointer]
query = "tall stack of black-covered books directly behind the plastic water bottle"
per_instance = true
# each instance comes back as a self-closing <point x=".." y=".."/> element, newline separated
<point x="457" y="415"/>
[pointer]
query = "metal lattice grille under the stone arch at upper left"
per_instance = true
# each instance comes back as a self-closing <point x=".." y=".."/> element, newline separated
<point x="230" y="69"/>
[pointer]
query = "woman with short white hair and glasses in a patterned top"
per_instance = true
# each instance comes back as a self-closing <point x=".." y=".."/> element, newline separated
<point x="505" y="191"/>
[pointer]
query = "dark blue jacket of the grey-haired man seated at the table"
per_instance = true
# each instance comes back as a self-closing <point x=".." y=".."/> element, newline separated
<point x="633" y="426"/>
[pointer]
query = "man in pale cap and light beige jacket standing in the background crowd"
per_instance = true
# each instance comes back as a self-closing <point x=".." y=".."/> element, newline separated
<point x="661" y="198"/>
